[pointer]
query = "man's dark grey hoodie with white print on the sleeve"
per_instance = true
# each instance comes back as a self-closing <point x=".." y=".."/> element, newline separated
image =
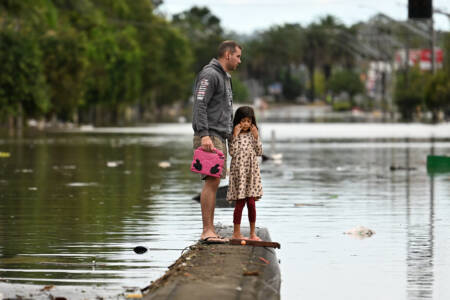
<point x="213" y="101"/>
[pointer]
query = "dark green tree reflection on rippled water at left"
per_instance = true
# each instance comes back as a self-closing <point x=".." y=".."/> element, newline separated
<point x="66" y="217"/>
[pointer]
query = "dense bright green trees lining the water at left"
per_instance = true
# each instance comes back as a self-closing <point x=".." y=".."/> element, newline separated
<point x="61" y="58"/>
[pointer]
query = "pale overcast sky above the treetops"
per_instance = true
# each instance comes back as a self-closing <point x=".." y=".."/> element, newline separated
<point x="246" y="16"/>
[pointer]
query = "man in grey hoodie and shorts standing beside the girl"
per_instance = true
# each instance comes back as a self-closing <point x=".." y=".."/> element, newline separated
<point x="212" y="123"/>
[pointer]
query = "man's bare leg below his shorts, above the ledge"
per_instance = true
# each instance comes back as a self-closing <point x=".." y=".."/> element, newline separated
<point x="208" y="204"/>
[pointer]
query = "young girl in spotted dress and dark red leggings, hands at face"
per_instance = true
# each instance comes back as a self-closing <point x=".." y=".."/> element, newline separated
<point x="245" y="179"/>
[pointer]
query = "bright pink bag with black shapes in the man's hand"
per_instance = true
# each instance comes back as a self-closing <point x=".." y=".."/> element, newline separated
<point x="208" y="163"/>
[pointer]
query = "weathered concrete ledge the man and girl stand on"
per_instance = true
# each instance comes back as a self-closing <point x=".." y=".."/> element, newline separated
<point x="221" y="271"/>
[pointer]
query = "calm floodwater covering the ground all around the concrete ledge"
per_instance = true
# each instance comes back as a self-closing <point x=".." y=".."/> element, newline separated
<point x="73" y="206"/>
